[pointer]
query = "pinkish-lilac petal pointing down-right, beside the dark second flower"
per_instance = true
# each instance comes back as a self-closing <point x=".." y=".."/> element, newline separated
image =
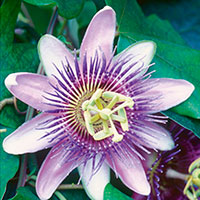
<point x="133" y="176"/>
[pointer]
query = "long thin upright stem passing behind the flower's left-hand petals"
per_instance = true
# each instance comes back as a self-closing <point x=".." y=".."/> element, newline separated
<point x="30" y="110"/>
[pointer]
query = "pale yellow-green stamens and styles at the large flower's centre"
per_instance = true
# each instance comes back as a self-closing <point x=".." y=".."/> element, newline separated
<point x="106" y="112"/>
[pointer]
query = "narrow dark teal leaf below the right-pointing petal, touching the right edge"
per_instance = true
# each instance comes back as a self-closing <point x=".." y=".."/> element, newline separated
<point x="186" y="122"/>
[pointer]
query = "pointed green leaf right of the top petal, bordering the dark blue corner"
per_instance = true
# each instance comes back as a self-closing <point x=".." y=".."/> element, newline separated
<point x="151" y="27"/>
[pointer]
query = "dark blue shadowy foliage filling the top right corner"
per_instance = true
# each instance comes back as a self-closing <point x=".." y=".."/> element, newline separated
<point x="184" y="16"/>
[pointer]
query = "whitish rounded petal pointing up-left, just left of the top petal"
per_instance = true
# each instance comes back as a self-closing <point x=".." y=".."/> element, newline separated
<point x="53" y="52"/>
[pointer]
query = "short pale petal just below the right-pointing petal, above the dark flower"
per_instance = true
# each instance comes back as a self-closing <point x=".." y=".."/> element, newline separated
<point x="153" y="136"/>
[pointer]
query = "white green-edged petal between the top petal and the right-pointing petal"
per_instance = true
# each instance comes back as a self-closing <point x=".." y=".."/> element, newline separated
<point x="140" y="54"/>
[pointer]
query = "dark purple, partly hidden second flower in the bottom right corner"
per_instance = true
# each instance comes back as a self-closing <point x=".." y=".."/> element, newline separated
<point x="168" y="174"/>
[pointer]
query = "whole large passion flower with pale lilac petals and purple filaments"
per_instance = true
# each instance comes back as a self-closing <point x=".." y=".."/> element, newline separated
<point x="97" y="110"/>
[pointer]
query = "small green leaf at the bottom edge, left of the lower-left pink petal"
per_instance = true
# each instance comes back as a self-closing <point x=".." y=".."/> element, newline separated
<point x="25" y="194"/>
